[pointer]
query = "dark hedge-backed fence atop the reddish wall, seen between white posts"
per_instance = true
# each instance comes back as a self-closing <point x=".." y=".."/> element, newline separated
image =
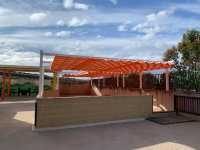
<point x="188" y="81"/>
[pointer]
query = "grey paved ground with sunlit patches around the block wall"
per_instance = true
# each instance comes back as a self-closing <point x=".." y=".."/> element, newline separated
<point x="16" y="117"/>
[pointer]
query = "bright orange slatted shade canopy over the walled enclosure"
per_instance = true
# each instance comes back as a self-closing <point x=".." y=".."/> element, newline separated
<point x="97" y="67"/>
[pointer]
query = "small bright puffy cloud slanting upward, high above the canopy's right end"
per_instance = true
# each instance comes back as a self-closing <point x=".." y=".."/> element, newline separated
<point x="160" y="15"/>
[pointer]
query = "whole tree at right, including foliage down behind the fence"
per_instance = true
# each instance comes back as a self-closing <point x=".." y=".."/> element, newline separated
<point x="186" y="57"/>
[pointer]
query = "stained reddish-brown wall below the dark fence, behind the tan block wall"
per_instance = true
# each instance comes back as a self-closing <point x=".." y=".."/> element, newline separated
<point x="162" y="100"/>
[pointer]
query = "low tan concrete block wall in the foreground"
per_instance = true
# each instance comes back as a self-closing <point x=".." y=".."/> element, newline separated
<point x="56" y="112"/>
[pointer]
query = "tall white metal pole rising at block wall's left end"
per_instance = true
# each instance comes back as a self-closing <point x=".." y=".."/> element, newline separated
<point x="41" y="70"/>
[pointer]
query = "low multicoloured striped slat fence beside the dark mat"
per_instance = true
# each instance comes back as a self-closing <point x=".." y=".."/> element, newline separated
<point x="187" y="104"/>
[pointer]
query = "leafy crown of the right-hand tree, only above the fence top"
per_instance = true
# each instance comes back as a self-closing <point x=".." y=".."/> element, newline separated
<point x="186" y="55"/>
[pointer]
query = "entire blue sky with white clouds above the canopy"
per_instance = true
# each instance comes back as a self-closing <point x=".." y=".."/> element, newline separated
<point x="132" y="29"/>
